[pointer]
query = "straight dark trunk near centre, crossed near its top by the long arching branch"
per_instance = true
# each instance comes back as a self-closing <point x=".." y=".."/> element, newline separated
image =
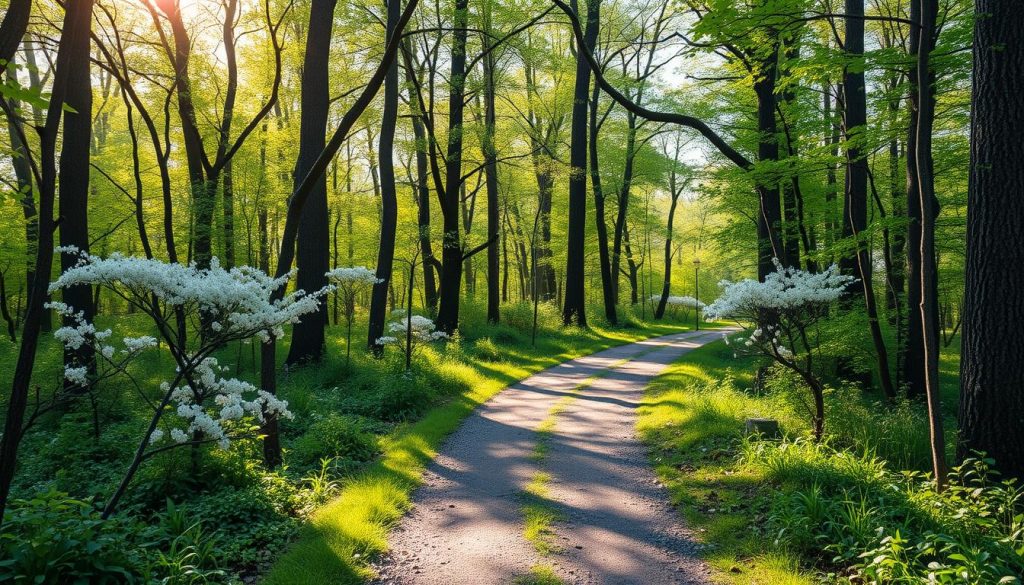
<point x="574" y="308"/>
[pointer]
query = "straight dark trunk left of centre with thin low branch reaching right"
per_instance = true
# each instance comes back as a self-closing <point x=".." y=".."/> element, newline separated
<point x="452" y="254"/>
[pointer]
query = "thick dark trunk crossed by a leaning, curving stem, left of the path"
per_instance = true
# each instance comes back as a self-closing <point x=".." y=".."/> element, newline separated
<point x="314" y="240"/>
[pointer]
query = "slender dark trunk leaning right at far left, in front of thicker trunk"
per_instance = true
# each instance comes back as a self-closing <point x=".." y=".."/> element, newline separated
<point x="77" y="22"/>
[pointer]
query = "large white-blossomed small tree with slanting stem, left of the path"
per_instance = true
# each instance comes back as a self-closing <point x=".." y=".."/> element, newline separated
<point x="196" y="312"/>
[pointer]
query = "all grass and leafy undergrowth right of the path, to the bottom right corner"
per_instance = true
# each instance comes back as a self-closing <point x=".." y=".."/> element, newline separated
<point x="856" y="509"/>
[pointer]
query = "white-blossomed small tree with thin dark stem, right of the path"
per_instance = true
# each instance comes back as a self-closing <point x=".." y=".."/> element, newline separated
<point x="781" y="315"/>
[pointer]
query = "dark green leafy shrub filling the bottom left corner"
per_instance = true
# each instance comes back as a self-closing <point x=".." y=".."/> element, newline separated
<point x="53" y="538"/>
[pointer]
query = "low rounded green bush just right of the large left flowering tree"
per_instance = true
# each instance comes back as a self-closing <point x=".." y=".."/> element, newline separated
<point x="335" y="437"/>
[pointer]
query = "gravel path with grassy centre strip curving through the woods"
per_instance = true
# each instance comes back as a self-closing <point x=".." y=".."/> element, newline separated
<point x="615" y="523"/>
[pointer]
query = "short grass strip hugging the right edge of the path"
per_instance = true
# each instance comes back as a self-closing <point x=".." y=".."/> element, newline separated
<point x="692" y="435"/>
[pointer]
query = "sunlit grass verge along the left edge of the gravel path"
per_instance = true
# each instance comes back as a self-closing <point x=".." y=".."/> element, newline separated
<point x="339" y="539"/>
